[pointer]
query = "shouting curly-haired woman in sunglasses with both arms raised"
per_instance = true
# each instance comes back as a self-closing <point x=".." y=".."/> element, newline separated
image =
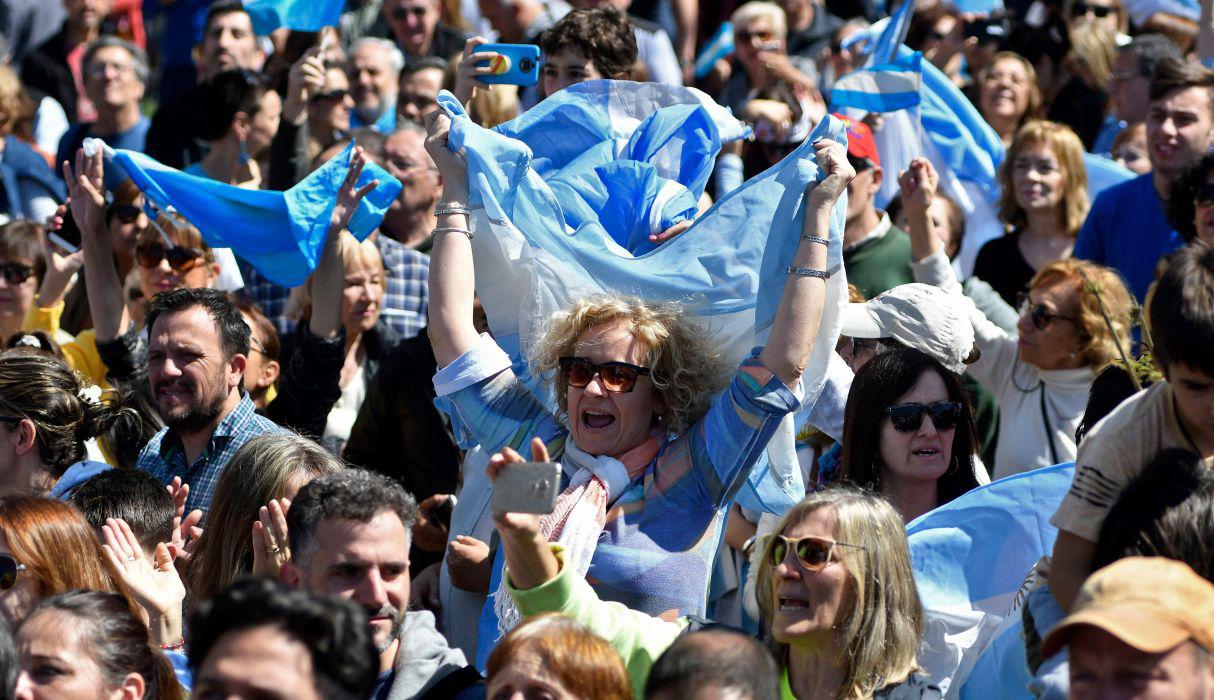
<point x="656" y="449"/>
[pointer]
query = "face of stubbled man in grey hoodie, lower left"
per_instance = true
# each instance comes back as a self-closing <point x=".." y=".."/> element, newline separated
<point x="367" y="564"/>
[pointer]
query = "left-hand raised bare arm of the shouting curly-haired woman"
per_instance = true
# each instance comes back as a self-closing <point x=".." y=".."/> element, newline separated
<point x="452" y="274"/>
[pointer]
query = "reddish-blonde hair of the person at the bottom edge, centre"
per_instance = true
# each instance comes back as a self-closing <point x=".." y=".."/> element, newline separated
<point x="585" y="663"/>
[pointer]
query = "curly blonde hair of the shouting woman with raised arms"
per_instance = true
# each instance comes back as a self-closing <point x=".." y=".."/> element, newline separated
<point x="684" y="369"/>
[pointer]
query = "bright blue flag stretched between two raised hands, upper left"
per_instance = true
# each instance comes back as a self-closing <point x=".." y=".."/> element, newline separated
<point x="281" y="234"/>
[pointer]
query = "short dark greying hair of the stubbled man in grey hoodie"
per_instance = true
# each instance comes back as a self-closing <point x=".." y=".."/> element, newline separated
<point x="350" y="496"/>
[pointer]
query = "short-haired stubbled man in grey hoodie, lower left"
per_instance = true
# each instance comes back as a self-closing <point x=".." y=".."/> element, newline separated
<point x="350" y="538"/>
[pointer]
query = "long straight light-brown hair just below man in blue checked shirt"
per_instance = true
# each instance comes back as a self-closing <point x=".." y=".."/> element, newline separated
<point x="266" y="468"/>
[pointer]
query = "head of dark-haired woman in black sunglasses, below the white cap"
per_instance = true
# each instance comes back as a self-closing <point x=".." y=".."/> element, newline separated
<point x="909" y="432"/>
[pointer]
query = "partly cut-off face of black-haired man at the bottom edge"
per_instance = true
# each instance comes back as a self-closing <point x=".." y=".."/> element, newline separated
<point x="260" y="663"/>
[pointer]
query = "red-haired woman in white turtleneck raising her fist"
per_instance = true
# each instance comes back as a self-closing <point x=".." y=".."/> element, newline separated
<point x="1074" y="321"/>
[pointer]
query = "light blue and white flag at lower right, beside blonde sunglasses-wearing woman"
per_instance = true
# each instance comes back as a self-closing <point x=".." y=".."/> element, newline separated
<point x="971" y="559"/>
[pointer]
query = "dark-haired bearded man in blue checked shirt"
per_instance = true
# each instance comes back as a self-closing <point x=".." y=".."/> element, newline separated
<point x="198" y="345"/>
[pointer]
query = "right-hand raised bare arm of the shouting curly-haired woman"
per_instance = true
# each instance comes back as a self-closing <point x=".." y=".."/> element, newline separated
<point x="801" y="308"/>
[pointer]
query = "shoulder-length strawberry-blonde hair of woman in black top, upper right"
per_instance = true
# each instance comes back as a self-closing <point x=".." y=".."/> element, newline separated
<point x="1069" y="151"/>
